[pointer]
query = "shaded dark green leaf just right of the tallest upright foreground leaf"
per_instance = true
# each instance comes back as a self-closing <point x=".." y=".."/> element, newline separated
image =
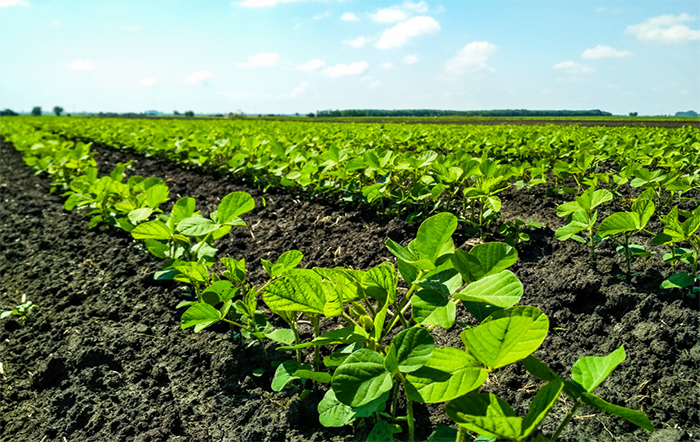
<point x="484" y="260"/>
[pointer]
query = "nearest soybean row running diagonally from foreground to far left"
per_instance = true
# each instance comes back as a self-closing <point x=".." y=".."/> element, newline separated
<point x="382" y="347"/>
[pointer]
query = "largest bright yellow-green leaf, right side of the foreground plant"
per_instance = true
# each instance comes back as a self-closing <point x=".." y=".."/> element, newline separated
<point x="507" y="336"/>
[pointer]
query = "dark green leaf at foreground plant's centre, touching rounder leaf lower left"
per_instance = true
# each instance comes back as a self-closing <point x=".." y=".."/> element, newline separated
<point x="411" y="348"/>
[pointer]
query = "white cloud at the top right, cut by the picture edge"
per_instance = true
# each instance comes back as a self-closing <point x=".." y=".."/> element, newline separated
<point x="665" y="29"/>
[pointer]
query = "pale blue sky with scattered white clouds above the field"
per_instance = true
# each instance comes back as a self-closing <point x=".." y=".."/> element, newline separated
<point x="286" y="56"/>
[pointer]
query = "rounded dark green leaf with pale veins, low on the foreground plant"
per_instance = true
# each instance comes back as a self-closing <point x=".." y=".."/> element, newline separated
<point x="361" y="378"/>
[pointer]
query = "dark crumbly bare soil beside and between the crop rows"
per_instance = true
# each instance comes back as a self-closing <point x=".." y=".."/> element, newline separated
<point x="103" y="357"/>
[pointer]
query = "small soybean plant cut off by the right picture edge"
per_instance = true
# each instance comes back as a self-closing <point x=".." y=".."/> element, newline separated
<point x="677" y="231"/>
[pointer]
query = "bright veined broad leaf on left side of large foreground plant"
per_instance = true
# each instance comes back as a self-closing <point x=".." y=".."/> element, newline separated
<point x="296" y="293"/>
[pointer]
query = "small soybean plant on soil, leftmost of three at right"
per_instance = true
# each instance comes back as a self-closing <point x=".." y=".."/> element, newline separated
<point x="582" y="216"/>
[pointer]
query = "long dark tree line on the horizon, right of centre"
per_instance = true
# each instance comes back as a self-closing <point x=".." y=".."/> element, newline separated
<point x="452" y="113"/>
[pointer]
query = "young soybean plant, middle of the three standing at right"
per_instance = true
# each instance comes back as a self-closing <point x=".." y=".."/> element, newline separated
<point x="621" y="226"/>
